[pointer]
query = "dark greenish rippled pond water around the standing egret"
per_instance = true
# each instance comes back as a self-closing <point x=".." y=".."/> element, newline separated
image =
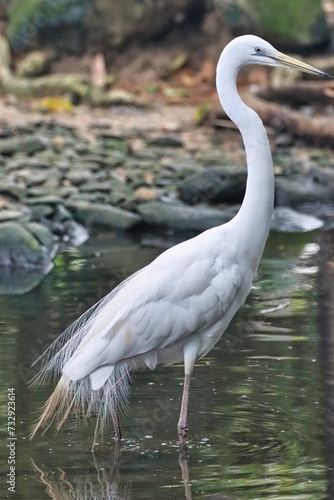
<point x="259" y="421"/>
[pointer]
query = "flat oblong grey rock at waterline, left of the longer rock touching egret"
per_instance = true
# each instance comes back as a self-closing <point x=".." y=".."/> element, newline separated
<point x="97" y="215"/>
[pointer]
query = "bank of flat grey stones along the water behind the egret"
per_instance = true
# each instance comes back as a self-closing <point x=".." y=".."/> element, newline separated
<point x="136" y="171"/>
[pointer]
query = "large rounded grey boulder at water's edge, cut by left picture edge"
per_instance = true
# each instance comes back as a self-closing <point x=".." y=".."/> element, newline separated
<point x="19" y="246"/>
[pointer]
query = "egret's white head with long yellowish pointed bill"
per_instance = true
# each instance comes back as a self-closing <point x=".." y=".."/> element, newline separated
<point x="250" y="49"/>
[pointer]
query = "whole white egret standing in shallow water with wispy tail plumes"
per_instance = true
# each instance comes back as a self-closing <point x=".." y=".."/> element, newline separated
<point x="176" y="308"/>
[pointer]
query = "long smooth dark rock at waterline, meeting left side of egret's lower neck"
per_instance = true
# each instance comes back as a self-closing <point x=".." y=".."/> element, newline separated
<point x="180" y="217"/>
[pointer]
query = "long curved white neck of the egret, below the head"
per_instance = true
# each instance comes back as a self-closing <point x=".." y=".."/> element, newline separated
<point x="253" y="219"/>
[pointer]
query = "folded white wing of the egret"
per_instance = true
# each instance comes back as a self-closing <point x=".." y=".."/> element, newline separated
<point x="158" y="307"/>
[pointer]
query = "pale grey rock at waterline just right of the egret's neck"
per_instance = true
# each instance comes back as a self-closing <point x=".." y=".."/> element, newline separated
<point x="286" y="220"/>
